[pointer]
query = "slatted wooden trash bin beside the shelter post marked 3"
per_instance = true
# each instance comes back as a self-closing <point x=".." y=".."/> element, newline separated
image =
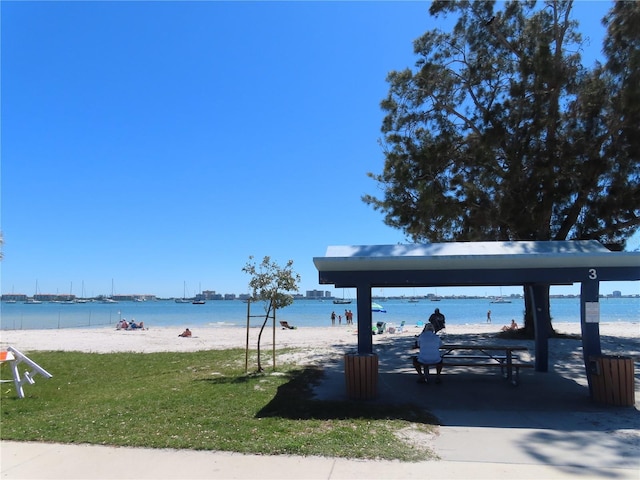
<point x="612" y="380"/>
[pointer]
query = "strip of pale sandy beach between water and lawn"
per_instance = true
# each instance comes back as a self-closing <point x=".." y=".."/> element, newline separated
<point x="620" y="338"/>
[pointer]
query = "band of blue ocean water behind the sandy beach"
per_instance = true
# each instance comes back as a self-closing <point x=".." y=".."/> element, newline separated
<point x="301" y="313"/>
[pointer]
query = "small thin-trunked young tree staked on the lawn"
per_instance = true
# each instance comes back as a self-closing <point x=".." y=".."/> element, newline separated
<point x="272" y="284"/>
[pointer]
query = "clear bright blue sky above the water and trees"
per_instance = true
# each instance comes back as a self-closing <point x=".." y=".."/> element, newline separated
<point x="149" y="144"/>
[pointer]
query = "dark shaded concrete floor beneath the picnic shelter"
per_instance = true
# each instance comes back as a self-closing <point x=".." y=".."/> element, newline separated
<point x="468" y="395"/>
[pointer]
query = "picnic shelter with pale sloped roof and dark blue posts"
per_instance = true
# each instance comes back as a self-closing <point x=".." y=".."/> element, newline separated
<point x="533" y="265"/>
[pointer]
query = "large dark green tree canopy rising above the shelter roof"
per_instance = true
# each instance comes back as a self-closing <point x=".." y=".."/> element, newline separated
<point x="500" y="133"/>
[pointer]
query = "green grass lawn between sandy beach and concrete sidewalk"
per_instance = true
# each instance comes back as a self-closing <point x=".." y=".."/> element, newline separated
<point x="201" y="401"/>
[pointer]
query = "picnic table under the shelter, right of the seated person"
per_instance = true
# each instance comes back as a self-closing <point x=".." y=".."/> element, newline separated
<point x="483" y="355"/>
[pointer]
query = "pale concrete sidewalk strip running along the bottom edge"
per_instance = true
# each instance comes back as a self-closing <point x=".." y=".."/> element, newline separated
<point x="54" y="461"/>
